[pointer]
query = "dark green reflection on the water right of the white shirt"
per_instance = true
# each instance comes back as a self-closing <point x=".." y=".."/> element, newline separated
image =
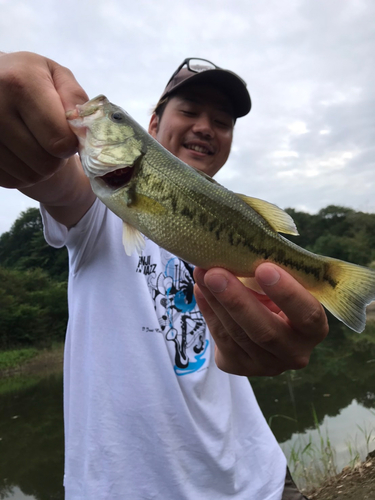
<point x="341" y="369"/>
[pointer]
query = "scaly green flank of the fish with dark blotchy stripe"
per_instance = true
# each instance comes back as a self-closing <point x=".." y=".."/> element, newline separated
<point x="220" y="214"/>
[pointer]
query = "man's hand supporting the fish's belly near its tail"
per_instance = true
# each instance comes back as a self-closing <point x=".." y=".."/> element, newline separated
<point x="260" y="334"/>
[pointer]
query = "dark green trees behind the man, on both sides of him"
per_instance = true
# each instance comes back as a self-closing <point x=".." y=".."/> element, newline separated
<point x="33" y="275"/>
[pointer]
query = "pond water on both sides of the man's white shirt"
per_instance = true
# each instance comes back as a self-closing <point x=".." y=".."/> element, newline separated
<point x="334" y="398"/>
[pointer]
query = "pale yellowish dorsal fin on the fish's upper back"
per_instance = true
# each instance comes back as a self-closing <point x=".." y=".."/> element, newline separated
<point x="279" y="220"/>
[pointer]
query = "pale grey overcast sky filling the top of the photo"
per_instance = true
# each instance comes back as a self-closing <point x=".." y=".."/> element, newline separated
<point x="309" y="140"/>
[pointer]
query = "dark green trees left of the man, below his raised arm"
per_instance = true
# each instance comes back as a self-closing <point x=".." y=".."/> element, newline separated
<point x="33" y="285"/>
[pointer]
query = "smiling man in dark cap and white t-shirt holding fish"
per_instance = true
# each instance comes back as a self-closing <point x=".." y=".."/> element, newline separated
<point x="148" y="414"/>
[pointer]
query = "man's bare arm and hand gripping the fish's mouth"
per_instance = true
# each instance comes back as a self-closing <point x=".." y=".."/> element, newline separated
<point x="37" y="147"/>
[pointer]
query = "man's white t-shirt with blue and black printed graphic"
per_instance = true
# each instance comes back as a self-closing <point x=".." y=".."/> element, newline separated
<point x="148" y="415"/>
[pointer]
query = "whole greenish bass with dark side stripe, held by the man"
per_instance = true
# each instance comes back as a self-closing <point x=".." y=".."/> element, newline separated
<point x="192" y="216"/>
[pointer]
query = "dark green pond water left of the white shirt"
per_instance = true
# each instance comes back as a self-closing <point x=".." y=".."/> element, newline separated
<point x="31" y="432"/>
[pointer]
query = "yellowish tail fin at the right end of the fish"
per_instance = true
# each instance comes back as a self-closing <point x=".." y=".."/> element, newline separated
<point x="347" y="291"/>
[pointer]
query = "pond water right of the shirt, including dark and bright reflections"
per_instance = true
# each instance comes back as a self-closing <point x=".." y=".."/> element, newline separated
<point x="335" y="394"/>
